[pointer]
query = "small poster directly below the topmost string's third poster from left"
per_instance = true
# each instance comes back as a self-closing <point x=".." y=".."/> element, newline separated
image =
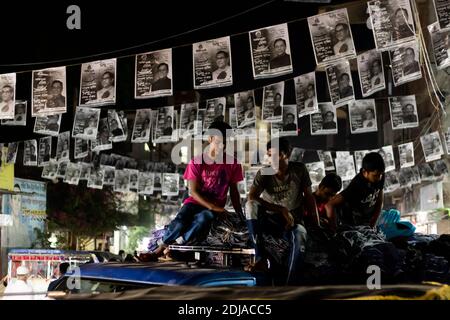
<point x="85" y="125"/>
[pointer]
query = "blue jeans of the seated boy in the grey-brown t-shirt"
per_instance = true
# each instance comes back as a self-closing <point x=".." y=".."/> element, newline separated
<point x="260" y="221"/>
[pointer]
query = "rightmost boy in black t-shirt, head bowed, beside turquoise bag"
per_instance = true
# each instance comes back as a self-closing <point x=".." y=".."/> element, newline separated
<point x="362" y="200"/>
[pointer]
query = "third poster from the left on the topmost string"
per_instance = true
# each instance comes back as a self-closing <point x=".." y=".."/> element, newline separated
<point x="98" y="83"/>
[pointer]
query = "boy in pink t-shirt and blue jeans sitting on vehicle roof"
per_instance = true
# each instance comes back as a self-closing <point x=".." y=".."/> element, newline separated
<point x="210" y="176"/>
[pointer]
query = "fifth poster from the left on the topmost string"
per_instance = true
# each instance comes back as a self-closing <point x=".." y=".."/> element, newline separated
<point x="212" y="63"/>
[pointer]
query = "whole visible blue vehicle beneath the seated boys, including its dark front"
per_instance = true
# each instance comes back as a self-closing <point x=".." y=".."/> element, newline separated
<point x="118" y="277"/>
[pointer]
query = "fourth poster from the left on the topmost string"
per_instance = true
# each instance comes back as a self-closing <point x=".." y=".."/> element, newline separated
<point x="153" y="74"/>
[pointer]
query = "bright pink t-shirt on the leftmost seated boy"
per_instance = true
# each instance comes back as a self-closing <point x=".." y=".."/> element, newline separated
<point x="214" y="178"/>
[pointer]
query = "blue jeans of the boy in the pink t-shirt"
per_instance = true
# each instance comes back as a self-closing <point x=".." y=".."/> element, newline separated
<point x="191" y="223"/>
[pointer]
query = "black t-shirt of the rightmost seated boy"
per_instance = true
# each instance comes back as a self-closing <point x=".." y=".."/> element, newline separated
<point x="360" y="197"/>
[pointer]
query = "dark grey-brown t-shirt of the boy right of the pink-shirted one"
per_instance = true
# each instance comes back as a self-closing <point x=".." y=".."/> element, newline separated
<point x="287" y="193"/>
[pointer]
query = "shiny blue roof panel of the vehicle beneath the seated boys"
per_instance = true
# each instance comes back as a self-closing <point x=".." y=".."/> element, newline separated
<point x="159" y="273"/>
